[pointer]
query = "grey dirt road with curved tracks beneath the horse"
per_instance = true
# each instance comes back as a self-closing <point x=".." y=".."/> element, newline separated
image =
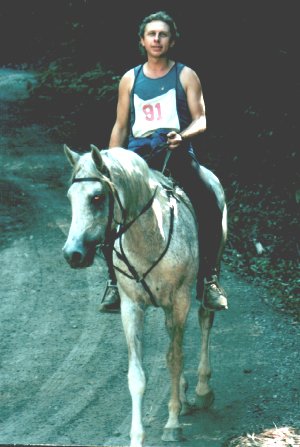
<point x="63" y="372"/>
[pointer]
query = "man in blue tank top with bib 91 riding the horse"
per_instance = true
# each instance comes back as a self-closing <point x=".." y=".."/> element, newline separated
<point x="161" y="105"/>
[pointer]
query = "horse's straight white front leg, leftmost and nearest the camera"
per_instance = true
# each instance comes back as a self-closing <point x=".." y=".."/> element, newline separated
<point x="133" y="323"/>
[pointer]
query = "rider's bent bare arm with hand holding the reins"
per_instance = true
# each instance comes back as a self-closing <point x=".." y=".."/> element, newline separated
<point x="192" y="86"/>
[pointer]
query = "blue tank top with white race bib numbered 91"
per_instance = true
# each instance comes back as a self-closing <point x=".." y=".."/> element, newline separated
<point x="158" y="103"/>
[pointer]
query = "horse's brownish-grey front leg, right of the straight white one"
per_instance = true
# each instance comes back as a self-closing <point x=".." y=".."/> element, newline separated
<point x="175" y="322"/>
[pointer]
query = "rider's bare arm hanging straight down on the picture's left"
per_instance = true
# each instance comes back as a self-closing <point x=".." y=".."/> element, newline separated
<point x="119" y="132"/>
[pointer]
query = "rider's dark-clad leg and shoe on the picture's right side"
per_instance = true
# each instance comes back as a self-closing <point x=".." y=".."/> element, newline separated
<point x="208" y="201"/>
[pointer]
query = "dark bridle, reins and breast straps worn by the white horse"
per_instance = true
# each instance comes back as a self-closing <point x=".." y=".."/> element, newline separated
<point x="111" y="236"/>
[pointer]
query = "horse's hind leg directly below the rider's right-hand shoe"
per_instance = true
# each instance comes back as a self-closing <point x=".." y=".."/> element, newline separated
<point x="204" y="393"/>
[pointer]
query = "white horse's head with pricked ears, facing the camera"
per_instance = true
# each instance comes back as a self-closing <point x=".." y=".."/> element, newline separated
<point x="90" y="197"/>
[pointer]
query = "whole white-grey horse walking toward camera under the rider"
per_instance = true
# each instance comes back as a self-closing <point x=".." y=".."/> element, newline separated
<point x="117" y="199"/>
